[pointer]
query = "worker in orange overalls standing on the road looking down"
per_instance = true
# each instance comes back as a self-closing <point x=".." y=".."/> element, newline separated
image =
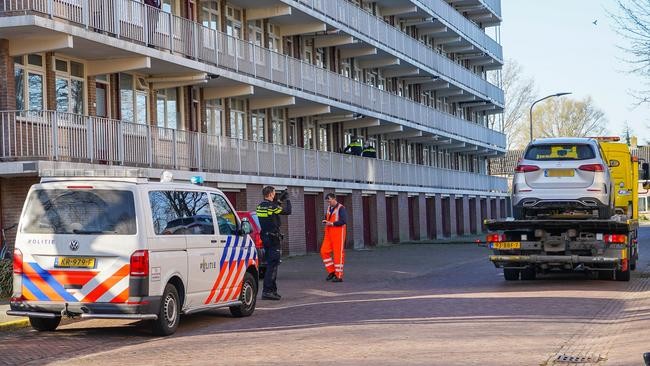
<point x="334" y="240"/>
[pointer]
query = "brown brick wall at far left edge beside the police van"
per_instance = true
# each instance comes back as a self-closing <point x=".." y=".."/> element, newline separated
<point x="13" y="192"/>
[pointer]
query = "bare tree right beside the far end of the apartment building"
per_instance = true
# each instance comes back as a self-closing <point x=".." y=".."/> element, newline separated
<point x="519" y="95"/>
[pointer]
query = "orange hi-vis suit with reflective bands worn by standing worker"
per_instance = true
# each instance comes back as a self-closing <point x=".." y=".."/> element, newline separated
<point x="334" y="242"/>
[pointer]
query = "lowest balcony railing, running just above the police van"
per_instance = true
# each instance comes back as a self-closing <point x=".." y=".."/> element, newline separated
<point x="29" y="135"/>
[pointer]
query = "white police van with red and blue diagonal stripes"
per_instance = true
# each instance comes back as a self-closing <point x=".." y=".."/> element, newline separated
<point x="129" y="248"/>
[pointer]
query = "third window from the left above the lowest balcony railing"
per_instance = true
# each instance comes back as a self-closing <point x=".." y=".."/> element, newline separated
<point x="134" y="97"/>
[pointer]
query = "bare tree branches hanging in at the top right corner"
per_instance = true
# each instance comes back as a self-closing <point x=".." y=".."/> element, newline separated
<point x="633" y="22"/>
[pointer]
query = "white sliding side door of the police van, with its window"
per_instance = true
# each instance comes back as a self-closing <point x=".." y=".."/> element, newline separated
<point x="203" y="248"/>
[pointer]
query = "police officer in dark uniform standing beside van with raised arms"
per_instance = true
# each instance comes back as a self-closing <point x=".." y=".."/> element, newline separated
<point x="268" y="212"/>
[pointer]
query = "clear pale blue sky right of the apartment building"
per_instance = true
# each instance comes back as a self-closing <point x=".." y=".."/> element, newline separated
<point x="558" y="46"/>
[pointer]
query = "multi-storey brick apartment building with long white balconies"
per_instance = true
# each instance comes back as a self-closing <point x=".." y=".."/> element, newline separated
<point x="248" y="93"/>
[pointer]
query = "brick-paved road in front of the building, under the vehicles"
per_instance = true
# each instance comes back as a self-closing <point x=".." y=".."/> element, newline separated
<point x="399" y="305"/>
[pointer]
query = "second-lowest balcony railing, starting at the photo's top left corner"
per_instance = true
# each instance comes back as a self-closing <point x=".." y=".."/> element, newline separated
<point x="135" y="22"/>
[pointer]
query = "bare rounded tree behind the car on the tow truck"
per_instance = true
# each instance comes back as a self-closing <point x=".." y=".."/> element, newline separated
<point x="566" y="117"/>
